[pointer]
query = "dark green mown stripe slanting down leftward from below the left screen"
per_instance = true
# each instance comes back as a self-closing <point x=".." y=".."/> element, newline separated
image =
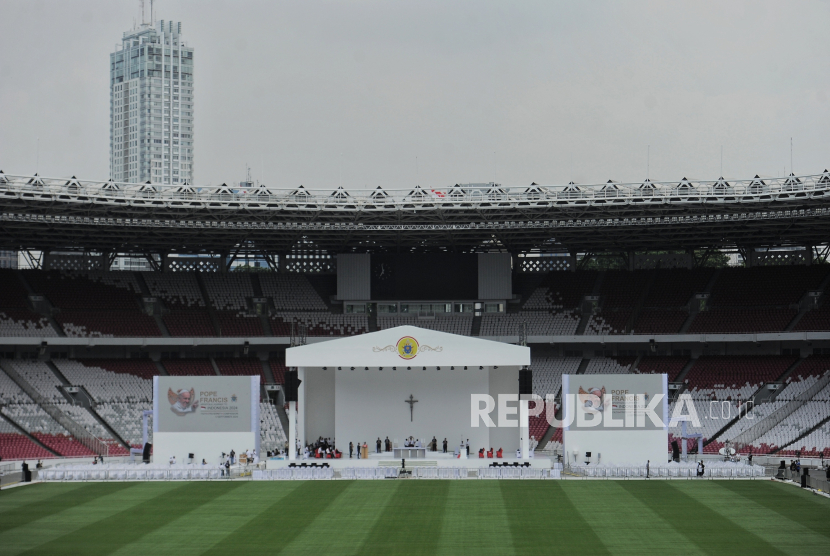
<point x="122" y="528"/>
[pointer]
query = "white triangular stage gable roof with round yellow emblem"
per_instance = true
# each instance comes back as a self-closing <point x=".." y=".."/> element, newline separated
<point x="407" y="346"/>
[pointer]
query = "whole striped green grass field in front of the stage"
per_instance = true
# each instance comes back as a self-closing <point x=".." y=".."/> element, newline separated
<point x="414" y="517"/>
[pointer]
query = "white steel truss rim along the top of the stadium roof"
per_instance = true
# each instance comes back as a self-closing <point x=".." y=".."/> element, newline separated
<point x="684" y="191"/>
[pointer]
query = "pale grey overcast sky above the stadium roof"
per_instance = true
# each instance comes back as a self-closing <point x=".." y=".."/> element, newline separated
<point x="318" y="92"/>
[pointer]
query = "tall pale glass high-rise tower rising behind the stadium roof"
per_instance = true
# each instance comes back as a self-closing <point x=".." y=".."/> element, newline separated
<point x="151" y="106"/>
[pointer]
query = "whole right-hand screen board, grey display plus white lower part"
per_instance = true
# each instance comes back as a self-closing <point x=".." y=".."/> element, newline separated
<point x="616" y="444"/>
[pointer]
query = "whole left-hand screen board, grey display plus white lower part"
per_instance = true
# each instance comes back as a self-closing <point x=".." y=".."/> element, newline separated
<point x="204" y="416"/>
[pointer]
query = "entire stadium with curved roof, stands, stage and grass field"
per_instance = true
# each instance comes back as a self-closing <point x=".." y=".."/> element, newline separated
<point x="355" y="314"/>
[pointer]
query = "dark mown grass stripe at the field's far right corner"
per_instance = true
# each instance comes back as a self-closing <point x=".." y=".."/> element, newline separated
<point x="793" y="504"/>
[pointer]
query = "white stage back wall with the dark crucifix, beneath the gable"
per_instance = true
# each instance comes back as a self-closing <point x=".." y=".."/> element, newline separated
<point x="372" y="403"/>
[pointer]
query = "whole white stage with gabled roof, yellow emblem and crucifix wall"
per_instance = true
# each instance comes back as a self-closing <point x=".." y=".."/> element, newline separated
<point x="359" y="388"/>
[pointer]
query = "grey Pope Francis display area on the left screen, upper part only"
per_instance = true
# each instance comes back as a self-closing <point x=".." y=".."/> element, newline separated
<point x="203" y="404"/>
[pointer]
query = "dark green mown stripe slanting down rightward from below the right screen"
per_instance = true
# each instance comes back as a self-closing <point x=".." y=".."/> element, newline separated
<point x="710" y="531"/>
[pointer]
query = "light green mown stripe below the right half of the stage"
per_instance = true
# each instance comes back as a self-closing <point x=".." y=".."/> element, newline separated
<point x="475" y="520"/>
